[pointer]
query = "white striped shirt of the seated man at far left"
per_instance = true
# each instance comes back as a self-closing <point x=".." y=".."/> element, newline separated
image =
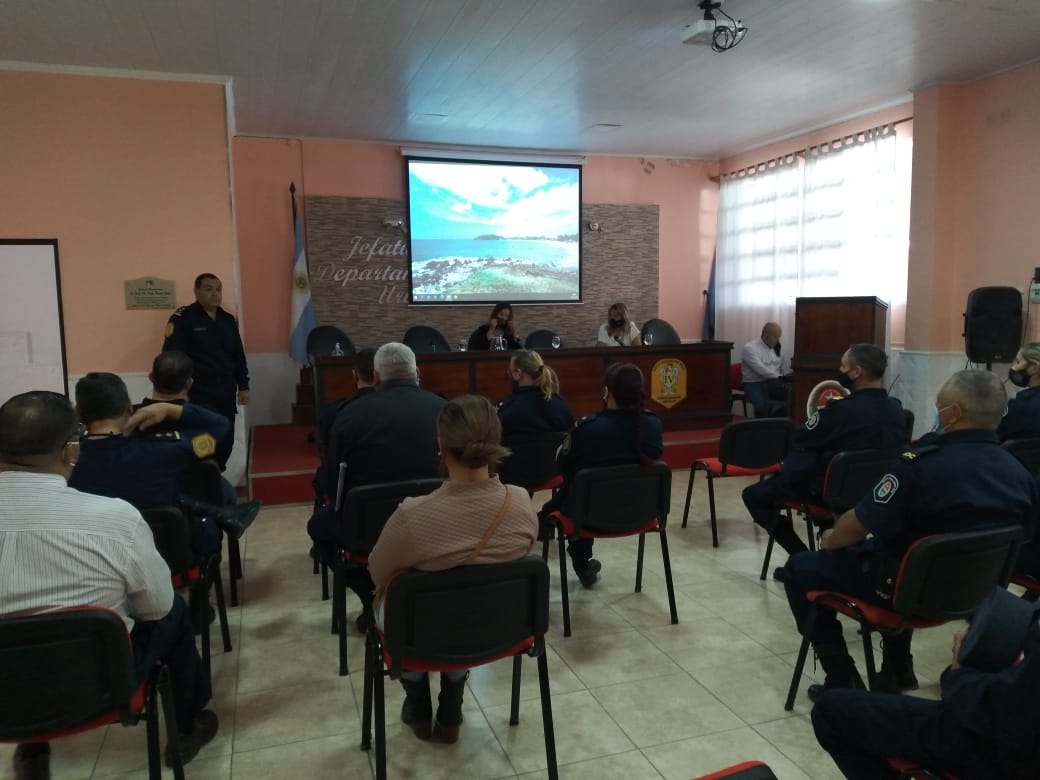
<point x="61" y="549"/>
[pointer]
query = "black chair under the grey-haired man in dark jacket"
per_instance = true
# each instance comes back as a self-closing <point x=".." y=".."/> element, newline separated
<point x="363" y="512"/>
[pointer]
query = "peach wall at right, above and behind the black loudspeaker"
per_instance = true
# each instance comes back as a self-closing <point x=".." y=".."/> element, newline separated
<point x="974" y="214"/>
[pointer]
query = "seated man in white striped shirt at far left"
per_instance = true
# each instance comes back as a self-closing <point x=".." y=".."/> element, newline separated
<point x="61" y="549"/>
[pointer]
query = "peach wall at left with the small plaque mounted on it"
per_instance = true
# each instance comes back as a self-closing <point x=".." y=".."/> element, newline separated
<point x="132" y="177"/>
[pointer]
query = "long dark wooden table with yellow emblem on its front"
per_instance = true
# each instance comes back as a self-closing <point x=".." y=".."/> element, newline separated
<point x="690" y="382"/>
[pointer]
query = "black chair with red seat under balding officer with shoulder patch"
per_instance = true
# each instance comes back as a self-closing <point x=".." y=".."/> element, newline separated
<point x="943" y="578"/>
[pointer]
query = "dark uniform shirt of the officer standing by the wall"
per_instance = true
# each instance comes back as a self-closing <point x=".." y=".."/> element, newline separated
<point x="214" y="345"/>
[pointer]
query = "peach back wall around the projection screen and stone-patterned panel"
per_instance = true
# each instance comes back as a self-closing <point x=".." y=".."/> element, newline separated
<point x="264" y="168"/>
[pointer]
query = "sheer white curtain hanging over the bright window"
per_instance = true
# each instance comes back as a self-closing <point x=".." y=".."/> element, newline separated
<point x="833" y="222"/>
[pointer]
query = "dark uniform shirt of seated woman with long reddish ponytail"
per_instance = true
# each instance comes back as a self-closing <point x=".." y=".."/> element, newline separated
<point x="607" y="438"/>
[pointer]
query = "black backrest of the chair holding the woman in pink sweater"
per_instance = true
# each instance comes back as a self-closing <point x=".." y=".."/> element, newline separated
<point x="466" y="616"/>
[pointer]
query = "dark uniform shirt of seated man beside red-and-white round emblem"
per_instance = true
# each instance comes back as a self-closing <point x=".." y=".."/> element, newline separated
<point x="868" y="420"/>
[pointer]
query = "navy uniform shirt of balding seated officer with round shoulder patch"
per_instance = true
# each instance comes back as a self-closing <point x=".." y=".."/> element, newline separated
<point x="950" y="483"/>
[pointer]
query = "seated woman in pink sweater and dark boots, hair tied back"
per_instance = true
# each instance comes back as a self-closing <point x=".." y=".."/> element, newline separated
<point x="472" y="519"/>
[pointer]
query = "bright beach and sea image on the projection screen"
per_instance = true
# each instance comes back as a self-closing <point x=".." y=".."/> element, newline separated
<point x="493" y="232"/>
